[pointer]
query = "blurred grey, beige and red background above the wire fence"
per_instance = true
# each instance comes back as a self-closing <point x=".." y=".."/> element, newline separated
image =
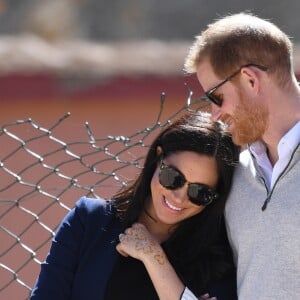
<point x="84" y="56"/>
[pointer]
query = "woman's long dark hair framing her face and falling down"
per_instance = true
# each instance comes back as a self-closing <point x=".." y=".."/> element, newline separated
<point x="198" y="249"/>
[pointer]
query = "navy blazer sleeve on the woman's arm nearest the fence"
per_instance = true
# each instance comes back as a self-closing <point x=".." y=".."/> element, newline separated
<point x="57" y="272"/>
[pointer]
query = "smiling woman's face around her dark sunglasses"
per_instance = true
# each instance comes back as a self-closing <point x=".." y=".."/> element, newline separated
<point x="173" y="206"/>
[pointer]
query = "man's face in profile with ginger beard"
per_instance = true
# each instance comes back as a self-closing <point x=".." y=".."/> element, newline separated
<point x="245" y="116"/>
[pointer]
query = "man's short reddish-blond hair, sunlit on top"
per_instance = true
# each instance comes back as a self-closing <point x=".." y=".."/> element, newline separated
<point x="240" y="39"/>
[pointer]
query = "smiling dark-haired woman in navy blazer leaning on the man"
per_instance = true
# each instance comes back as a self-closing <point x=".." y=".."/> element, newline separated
<point x="168" y="226"/>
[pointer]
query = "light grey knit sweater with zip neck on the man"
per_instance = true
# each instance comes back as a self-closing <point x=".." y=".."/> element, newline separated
<point x="266" y="243"/>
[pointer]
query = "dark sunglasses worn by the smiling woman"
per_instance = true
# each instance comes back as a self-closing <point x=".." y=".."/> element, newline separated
<point x="172" y="179"/>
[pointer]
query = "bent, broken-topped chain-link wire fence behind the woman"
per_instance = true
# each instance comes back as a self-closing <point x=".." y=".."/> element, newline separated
<point x="43" y="175"/>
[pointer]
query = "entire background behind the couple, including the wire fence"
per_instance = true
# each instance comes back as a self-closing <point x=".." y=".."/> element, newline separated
<point x="106" y="63"/>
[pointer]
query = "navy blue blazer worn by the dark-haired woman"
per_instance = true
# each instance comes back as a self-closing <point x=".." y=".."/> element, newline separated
<point x="83" y="254"/>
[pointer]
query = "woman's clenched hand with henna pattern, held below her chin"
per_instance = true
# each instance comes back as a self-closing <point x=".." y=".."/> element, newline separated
<point x="138" y="243"/>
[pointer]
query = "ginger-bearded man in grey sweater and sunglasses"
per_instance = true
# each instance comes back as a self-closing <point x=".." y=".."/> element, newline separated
<point x="244" y="64"/>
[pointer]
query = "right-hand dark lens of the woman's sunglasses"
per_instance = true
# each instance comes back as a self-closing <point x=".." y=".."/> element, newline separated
<point x="200" y="194"/>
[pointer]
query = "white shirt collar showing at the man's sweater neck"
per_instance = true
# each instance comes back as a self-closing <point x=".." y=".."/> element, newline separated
<point x="286" y="146"/>
